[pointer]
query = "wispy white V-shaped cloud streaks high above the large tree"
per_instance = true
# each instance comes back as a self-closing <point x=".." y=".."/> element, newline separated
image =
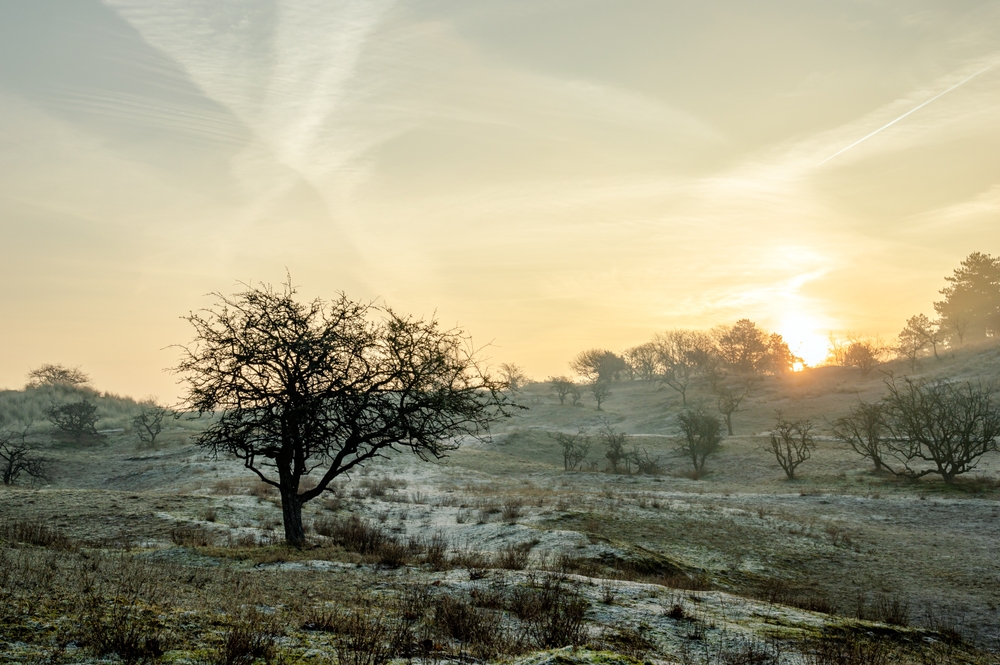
<point x="281" y="68"/>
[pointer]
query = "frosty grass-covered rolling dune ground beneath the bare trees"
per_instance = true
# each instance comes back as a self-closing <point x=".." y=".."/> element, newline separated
<point x="736" y="565"/>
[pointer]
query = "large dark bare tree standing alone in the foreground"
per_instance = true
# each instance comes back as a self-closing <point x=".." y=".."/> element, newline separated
<point x="329" y="387"/>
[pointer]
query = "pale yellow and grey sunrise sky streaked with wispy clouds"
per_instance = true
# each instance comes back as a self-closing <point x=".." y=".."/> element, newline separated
<point x="548" y="175"/>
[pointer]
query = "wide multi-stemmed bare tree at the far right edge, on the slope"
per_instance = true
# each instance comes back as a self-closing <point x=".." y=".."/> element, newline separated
<point x="938" y="427"/>
